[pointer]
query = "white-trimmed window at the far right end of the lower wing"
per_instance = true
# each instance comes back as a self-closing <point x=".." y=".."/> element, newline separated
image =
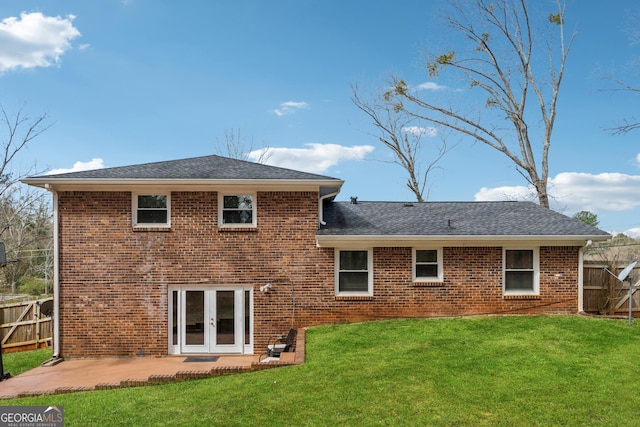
<point x="521" y="271"/>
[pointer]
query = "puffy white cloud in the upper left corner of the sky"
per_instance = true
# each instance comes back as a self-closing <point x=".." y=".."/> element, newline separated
<point x="34" y="40"/>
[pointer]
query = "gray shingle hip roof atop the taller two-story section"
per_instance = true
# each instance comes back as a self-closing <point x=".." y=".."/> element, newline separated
<point x="196" y="168"/>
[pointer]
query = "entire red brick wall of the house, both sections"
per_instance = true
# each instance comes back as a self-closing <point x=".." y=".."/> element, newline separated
<point x="114" y="279"/>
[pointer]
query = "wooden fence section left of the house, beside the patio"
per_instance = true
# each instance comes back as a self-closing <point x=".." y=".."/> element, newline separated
<point x="26" y="325"/>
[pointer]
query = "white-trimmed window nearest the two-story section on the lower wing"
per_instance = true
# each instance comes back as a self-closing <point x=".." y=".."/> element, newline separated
<point x="354" y="272"/>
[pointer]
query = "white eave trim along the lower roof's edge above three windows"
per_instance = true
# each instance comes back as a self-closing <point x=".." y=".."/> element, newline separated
<point x="367" y="241"/>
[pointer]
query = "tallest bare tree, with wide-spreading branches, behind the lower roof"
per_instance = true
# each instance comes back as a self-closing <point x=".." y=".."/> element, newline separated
<point x="501" y="60"/>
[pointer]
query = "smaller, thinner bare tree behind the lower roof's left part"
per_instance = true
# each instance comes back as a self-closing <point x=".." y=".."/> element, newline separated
<point x="404" y="136"/>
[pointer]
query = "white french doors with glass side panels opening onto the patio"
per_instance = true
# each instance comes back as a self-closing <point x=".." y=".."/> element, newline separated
<point x="210" y="320"/>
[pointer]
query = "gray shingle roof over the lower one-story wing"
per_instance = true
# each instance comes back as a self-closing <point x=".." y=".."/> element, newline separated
<point x="449" y="219"/>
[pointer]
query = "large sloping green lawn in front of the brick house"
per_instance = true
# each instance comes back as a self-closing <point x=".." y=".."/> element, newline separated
<point x="490" y="371"/>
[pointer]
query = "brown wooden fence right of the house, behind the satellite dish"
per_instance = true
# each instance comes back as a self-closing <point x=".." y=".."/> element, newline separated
<point x="604" y="294"/>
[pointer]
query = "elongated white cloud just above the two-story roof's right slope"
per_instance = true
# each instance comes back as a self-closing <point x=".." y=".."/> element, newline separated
<point x="316" y="158"/>
